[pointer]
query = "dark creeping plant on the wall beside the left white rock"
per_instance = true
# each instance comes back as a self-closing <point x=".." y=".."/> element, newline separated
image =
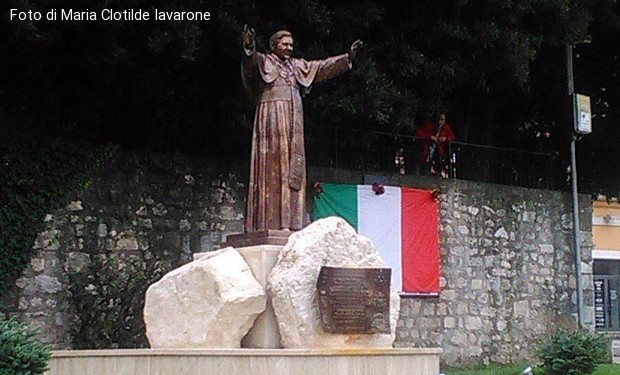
<point x="108" y="300"/>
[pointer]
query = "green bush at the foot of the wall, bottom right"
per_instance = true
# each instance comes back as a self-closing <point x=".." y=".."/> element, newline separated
<point x="572" y="352"/>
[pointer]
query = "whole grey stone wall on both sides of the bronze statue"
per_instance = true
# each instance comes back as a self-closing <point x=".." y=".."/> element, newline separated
<point x="507" y="273"/>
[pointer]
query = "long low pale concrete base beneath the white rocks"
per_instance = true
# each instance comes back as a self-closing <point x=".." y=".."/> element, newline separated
<point x="418" y="361"/>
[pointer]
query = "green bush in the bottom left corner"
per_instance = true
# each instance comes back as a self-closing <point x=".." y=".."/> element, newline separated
<point x="20" y="352"/>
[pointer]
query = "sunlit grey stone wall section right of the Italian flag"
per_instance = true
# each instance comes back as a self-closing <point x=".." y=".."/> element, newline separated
<point x="508" y="274"/>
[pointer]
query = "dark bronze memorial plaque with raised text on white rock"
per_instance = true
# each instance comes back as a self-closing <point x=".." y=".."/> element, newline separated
<point x="354" y="300"/>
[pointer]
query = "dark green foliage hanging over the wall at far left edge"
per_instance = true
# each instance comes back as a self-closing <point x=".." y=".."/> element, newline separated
<point x="36" y="177"/>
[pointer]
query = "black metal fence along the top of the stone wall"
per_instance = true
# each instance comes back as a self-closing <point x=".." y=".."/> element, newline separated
<point x="385" y="152"/>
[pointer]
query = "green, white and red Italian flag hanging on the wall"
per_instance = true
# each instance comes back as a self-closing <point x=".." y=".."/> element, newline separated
<point x="402" y="224"/>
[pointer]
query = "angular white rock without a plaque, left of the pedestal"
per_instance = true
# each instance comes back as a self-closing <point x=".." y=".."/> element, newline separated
<point x="209" y="303"/>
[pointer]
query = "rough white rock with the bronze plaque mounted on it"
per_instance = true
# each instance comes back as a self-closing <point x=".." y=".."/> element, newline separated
<point x="292" y="284"/>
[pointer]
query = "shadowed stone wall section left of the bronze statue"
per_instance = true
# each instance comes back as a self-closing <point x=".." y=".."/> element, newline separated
<point x="140" y="205"/>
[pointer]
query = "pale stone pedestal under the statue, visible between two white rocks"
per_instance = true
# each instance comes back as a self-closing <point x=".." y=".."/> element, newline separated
<point x="265" y="333"/>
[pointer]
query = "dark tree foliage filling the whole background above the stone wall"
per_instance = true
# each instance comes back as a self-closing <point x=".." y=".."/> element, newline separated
<point x="174" y="86"/>
